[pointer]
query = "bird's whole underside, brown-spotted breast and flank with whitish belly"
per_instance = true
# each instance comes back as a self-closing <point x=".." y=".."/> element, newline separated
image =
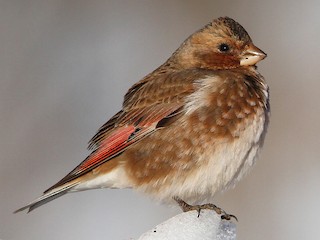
<point x="207" y="149"/>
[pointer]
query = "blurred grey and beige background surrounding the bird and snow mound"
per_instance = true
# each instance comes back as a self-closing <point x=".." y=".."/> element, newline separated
<point x="64" y="68"/>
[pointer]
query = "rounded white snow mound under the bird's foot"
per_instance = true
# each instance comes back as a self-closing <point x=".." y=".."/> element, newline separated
<point x="188" y="226"/>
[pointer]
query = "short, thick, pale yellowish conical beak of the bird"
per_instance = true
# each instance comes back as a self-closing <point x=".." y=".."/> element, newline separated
<point x="251" y="56"/>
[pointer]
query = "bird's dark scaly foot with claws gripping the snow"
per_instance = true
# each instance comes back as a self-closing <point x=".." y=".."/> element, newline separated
<point x="187" y="207"/>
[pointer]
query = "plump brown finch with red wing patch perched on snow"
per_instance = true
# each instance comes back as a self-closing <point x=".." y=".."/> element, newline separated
<point x="188" y="130"/>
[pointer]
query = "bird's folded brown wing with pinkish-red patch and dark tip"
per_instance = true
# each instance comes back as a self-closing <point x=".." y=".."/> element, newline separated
<point x="147" y="106"/>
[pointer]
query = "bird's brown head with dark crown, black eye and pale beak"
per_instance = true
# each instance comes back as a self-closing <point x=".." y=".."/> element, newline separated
<point x="221" y="44"/>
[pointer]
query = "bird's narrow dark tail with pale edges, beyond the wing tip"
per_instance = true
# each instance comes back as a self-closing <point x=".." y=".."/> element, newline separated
<point x="48" y="196"/>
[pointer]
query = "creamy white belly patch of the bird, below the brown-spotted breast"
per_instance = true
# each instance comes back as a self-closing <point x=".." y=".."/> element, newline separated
<point x="225" y="166"/>
